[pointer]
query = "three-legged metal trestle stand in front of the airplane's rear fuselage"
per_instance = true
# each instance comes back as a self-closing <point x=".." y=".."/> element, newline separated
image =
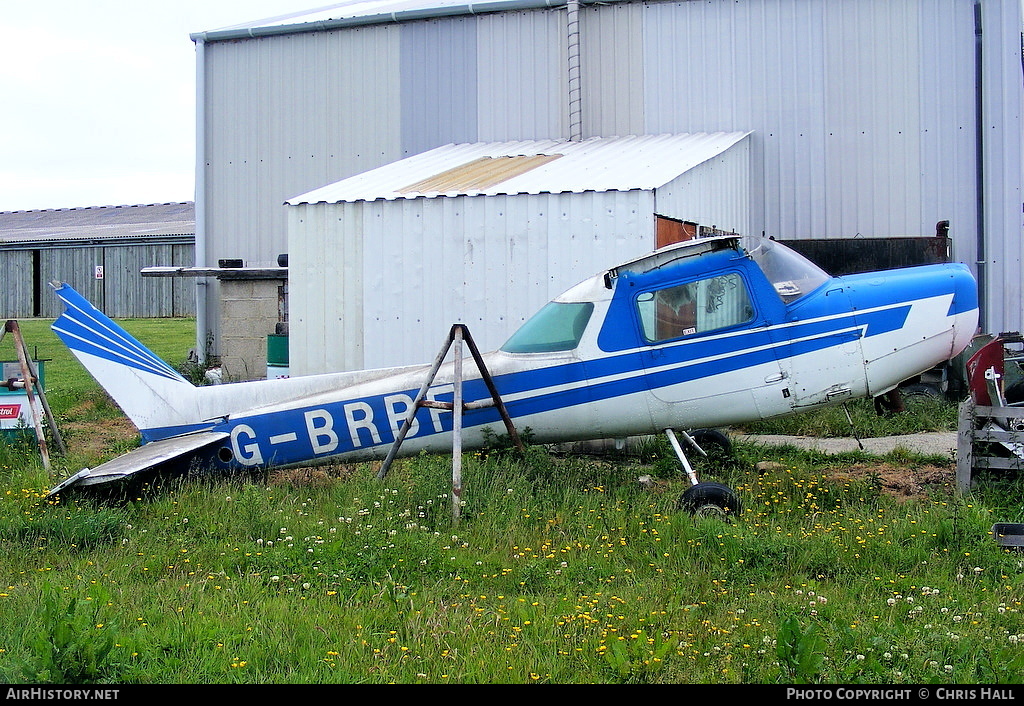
<point x="457" y="335"/>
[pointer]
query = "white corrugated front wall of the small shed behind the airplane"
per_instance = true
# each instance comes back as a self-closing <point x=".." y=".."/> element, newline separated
<point x="429" y="264"/>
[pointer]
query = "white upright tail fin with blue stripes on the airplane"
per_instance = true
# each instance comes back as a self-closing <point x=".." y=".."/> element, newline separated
<point x="153" y="394"/>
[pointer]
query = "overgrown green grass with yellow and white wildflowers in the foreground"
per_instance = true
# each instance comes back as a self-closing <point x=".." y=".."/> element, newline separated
<point x="563" y="569"/>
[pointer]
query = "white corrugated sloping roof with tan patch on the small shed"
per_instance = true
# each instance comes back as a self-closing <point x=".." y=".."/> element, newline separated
<point x="593" y="165"/>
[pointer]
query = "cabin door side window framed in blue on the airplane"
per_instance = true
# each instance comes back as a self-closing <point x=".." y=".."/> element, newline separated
<point x="686" y="310"/>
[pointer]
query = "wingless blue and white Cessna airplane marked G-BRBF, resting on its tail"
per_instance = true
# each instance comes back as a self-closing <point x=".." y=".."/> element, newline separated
<point x="700" y="335"/>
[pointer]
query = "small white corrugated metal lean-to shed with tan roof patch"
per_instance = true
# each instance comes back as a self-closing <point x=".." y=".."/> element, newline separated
<point x="489" y="235"/>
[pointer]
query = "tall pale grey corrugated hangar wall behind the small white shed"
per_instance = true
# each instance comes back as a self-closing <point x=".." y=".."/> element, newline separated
<point x="863" y="111"/>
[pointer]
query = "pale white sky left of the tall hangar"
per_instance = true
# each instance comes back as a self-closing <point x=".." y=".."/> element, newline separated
<point x="100" y="102"/>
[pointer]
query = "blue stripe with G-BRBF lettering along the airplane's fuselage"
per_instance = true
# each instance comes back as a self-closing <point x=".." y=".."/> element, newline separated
<point x="348" y="426"/>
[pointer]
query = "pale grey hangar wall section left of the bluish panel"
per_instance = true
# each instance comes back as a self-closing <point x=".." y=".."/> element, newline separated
<point x="285" y="115"/>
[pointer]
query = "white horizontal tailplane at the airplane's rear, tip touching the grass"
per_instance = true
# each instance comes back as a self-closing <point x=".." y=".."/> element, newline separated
<point x="177" y="450"/>
